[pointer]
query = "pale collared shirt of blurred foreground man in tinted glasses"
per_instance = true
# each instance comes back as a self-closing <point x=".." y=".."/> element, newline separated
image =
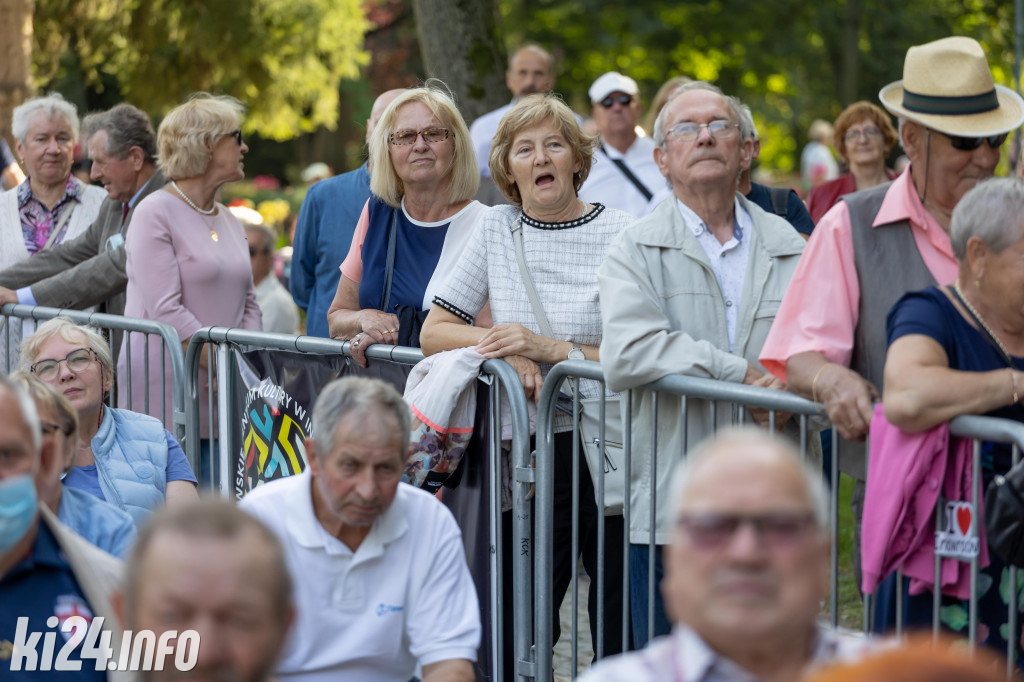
<point x="685" y="657"/>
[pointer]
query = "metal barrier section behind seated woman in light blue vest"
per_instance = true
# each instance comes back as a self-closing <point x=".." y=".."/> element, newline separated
<point x="15" y="316"/>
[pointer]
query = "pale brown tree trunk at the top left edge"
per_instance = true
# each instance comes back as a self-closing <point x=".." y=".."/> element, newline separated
<point x="16" y="59"/>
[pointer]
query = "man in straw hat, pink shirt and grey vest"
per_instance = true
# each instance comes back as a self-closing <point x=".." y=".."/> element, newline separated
<point x="829" y="338"/>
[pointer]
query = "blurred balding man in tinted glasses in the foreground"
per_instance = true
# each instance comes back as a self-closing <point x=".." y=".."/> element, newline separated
<point x="746" y="571"/>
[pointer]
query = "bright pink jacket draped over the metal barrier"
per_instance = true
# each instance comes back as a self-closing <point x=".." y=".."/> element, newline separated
<point x="906" y="476"/>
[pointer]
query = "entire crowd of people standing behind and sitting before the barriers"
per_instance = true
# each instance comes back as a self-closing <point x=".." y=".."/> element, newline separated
<point x="893" y="300"/>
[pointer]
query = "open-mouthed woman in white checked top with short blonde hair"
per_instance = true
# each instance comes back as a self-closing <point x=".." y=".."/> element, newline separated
<point x="539" y="158"/>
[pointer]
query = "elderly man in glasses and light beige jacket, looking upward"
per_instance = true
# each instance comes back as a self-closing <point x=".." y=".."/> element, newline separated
<point x="691" y="289"/>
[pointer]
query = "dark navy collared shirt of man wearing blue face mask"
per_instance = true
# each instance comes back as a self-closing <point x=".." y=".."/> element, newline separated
<point x="39" y="587"/>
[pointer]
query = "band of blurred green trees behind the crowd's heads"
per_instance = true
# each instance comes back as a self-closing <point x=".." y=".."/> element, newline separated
<point x="309" y="70"/>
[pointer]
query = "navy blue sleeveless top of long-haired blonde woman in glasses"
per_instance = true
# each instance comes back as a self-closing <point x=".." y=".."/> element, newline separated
<point x="418" y="249"/>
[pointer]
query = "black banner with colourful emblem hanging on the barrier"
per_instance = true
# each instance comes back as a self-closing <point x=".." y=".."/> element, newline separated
<point x="275" y="396"/>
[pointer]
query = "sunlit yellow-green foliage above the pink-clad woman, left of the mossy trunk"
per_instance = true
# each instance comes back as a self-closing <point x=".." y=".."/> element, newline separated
<point x="284" y="59"/>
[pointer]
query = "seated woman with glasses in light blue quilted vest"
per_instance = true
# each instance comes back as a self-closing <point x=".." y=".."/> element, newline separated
<point x="124" y="458"/>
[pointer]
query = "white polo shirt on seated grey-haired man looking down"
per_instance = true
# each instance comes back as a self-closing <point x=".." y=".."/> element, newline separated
<point x="404" y="598"/>
